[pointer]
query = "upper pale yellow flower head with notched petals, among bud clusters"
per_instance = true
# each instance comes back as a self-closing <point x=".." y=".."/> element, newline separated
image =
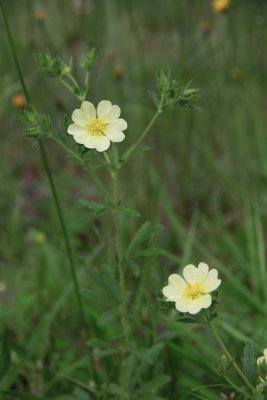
<point x="96" y="128"/>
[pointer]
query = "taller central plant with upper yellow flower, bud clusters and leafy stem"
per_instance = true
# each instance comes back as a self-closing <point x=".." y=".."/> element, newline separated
<point x="90" y="133"/>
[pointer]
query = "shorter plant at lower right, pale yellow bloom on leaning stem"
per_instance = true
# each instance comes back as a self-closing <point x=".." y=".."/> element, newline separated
<point x="195" y="298"/>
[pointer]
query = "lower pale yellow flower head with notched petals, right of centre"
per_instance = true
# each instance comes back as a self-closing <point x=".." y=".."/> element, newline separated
<point x="192" y="293"/>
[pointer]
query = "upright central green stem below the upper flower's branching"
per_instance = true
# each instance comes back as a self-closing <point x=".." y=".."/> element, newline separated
<point x="124" y="320"/>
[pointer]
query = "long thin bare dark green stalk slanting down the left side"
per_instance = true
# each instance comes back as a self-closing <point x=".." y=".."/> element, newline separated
<point x="49" y="176"/>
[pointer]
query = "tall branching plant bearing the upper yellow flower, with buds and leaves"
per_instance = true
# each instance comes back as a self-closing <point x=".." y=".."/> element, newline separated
<point x="92" y="135"/>
